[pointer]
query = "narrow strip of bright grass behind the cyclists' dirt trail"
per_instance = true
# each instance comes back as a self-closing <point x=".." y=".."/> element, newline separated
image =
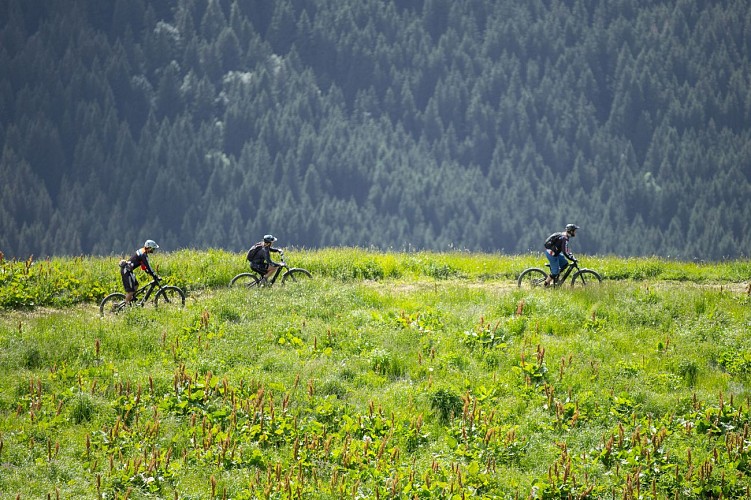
<point x="65" y="281"/>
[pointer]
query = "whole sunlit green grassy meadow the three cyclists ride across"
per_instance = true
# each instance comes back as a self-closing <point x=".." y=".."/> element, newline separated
<point x="390" y="375"/>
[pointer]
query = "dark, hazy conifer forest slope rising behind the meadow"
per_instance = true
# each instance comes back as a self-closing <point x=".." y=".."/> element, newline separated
<point x="425" y="124"/>
